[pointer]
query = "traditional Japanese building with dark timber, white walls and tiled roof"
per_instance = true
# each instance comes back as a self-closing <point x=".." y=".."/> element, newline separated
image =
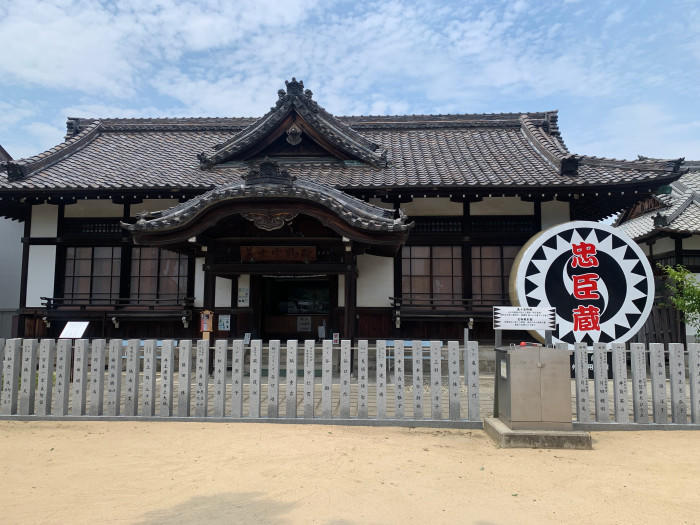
<point x="297" y="224"/>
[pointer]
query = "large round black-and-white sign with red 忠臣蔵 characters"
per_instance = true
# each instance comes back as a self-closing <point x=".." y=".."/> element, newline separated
<point x="596" y="277"/>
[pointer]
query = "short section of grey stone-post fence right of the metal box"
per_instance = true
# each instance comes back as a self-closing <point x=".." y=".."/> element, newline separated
<point x="643" y="362"/>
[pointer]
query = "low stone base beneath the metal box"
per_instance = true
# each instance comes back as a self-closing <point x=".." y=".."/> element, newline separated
<point x="504" y="437"/>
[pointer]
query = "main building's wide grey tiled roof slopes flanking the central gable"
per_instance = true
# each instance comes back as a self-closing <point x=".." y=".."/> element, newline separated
<point x="507" y="150"/>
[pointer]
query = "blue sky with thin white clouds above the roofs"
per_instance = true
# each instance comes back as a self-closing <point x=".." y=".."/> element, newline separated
<point x="625" y="76"/>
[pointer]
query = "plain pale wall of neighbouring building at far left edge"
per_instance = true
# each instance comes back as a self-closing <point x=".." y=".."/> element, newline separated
<point x="10" y="263"/>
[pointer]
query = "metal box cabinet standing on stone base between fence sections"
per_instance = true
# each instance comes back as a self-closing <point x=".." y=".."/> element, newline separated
<point x="533" y="388"/>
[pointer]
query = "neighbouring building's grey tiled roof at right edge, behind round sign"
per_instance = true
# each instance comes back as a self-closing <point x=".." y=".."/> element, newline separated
<point x="681" y="211"/>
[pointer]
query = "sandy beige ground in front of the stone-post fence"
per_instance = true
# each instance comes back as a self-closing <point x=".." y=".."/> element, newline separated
<point x="138" y="472"/>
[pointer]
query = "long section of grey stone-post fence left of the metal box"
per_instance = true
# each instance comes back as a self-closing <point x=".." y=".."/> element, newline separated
<point x="125" y="381"/>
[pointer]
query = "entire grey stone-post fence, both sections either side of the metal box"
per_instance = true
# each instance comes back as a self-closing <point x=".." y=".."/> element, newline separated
<point x="136" y="379"/>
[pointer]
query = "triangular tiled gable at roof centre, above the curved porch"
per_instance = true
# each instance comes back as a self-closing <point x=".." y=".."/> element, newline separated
<point x="296" y="127"/>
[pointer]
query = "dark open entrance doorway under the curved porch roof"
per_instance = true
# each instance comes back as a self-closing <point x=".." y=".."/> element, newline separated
<point x="295" y="306"/>
